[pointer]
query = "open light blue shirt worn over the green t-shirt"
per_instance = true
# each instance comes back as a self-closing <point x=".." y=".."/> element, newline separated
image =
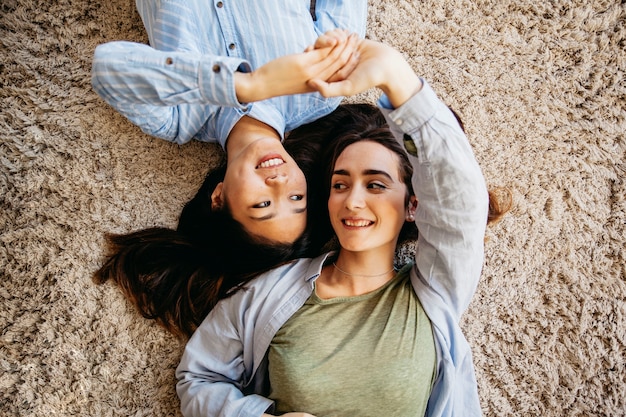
<point x="223" y="368"/>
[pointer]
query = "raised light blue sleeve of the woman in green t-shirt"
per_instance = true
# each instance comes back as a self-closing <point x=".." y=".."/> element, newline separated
<point x="452" y="197"/>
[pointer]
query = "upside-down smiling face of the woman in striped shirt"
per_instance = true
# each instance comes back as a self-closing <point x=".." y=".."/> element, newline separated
<point x="265" y="191"/>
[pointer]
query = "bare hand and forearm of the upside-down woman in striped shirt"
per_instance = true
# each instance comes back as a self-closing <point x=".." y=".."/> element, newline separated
<point x="290" y="74"/>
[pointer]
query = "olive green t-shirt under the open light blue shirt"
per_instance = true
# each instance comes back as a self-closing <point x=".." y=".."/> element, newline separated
<point x="368" y="355"/>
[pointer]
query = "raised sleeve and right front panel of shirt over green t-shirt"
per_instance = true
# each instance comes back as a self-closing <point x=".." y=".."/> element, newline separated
<point x="451" y="218"/>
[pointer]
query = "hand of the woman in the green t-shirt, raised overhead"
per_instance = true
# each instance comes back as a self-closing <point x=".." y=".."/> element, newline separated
<point x="379" y="65"/>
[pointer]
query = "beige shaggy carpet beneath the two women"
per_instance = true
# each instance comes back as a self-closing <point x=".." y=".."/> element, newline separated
<point x="542" y="88"/>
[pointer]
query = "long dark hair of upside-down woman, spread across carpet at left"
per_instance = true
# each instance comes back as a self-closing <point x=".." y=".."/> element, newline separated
<point x="176" y="276"/>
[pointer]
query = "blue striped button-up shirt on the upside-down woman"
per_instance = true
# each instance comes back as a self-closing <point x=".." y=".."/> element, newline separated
<point x="182" y="85"/>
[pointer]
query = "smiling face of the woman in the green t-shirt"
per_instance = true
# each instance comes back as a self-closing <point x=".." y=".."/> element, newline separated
<point x="367" y="203"/>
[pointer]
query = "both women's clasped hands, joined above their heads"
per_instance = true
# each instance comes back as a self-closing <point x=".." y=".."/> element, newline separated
<point x="338" y="64"/>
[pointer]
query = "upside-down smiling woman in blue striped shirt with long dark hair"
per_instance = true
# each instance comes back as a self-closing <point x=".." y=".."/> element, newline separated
<point x="234" y="73"/>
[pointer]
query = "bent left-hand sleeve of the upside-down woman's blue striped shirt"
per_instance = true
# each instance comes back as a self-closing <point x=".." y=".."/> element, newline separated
<point x="169" y="95"/>
